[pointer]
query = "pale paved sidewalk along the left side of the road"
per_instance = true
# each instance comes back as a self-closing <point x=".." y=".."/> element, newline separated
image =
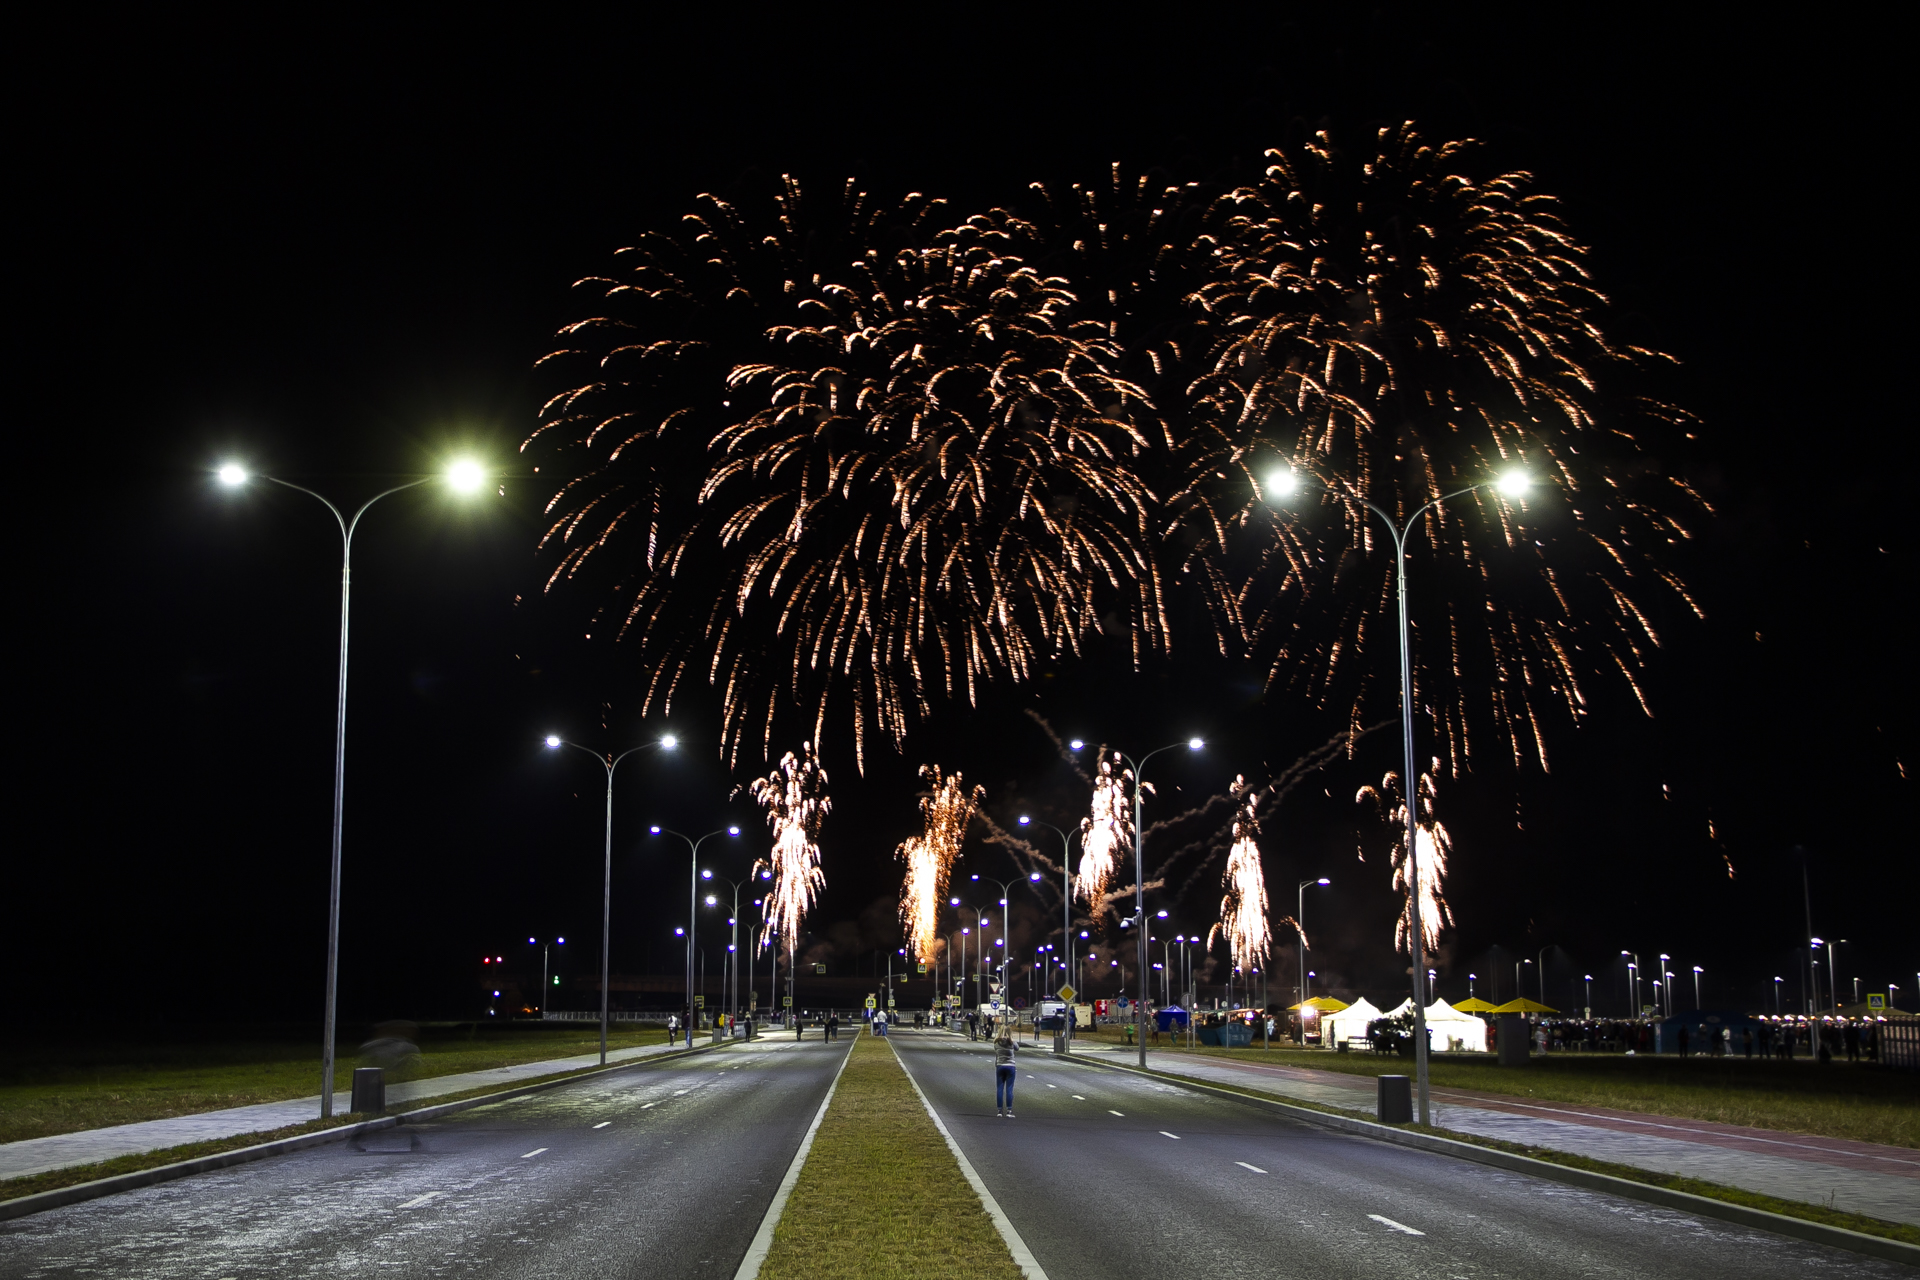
<point x="20" y="1160"/>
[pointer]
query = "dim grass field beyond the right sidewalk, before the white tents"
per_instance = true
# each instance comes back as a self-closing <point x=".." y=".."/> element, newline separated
<point x="1861" y="1102"/>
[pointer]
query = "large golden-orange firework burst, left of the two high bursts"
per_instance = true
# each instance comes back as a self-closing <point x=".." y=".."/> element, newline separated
<point x="844" y="462"/>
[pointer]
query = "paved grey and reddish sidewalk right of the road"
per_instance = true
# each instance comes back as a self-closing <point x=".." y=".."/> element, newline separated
<point x="1860" y="1177"/>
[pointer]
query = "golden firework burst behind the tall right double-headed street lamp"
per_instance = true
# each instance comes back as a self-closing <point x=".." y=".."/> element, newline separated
<point x="1399" y="329"/>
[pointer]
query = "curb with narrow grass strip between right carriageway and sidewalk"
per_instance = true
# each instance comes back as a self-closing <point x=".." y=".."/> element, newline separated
<point x="1687" y="1202"/>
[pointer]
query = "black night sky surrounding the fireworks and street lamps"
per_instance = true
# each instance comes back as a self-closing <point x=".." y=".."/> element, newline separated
<point x="337" y="252"/>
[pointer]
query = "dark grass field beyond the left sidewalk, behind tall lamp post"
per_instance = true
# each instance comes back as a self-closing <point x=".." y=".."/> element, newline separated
<point x="64" y="1083"/>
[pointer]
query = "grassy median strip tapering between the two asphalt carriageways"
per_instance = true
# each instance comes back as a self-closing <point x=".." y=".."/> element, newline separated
<point x="880" y="1197"/>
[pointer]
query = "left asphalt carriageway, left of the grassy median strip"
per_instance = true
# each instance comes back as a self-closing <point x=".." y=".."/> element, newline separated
<point x="660" y="1172"/>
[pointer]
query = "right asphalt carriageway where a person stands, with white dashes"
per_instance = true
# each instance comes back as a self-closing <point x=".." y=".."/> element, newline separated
<point x="1111" y="1177"/>
